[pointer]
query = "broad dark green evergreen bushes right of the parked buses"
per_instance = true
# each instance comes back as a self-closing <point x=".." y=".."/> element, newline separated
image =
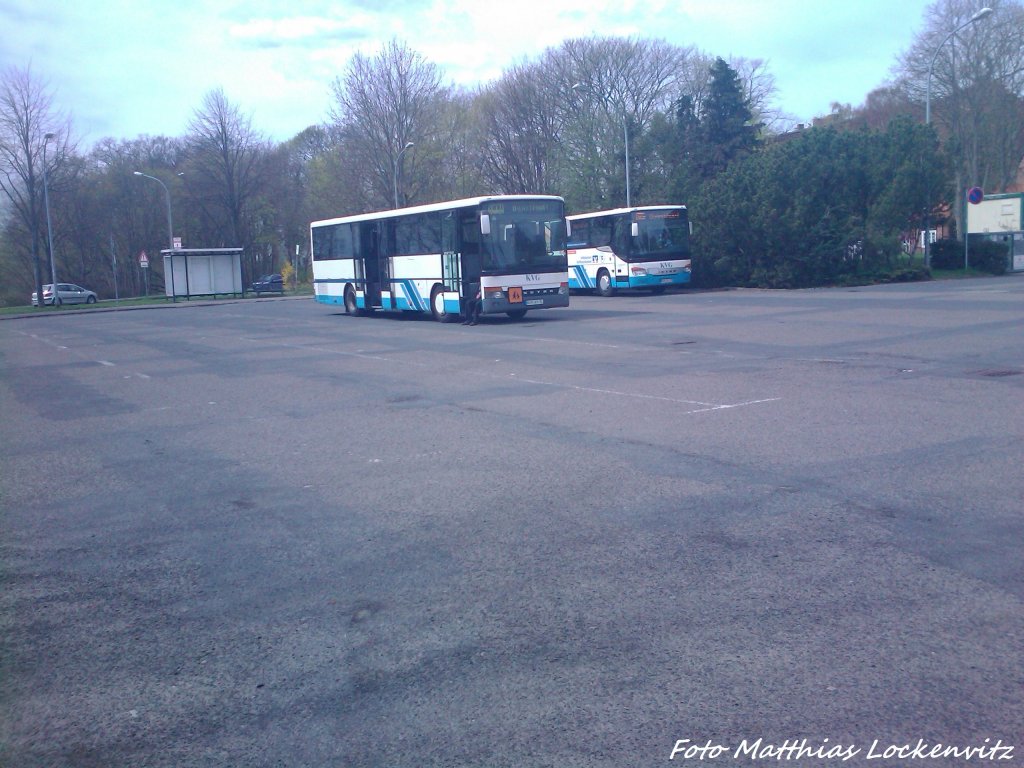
<point x="829" y="207"/>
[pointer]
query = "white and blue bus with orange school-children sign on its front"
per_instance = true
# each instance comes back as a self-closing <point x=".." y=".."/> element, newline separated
<point x="434" y="259"/>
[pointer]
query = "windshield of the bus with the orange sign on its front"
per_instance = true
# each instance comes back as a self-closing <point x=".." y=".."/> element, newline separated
<point x="524" y="236"/>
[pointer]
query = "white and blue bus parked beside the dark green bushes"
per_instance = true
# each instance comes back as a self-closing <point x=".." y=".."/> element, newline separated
<point x="647" y="247"/>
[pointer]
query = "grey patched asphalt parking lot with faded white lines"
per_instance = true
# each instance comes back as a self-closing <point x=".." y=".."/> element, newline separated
<point x="263" y="533"/>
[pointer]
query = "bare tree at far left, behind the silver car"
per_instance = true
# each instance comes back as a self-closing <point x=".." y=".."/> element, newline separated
<point x="28" y="125"/>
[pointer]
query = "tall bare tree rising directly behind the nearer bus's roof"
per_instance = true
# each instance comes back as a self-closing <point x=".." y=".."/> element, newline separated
<point x="385" y="105"/>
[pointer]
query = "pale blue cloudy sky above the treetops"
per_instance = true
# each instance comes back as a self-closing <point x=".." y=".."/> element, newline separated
<point x="129" y="68"/>
